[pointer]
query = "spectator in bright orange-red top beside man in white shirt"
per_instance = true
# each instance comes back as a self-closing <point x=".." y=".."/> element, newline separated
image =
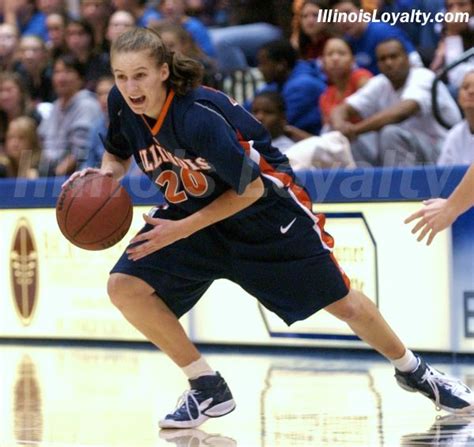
<point x="343" y="78"/>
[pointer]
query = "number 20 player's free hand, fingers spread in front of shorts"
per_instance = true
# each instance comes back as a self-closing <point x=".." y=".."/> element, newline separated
<point x="163" y="233"/>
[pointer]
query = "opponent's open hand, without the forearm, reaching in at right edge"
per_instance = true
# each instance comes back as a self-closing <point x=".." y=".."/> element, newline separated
<point x="434" y="217"/>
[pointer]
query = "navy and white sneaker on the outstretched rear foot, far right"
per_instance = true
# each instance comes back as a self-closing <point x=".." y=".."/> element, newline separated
<point x="447" y="393"/>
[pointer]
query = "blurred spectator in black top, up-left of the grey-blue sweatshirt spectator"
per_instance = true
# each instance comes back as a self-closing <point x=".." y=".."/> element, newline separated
<point x="35" y="69"/>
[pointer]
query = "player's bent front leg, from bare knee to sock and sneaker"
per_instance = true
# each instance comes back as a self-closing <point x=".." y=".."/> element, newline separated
<point x="209" y="395"/>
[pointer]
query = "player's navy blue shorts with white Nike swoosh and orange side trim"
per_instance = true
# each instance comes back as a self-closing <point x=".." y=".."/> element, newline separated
<point x="280" y="255"/>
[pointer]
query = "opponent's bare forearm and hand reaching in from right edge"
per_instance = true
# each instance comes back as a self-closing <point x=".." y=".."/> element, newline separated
<point x="439" y="214"/>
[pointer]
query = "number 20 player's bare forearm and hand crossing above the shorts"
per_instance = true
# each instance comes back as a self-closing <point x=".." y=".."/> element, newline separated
<point x="165" y="232"/>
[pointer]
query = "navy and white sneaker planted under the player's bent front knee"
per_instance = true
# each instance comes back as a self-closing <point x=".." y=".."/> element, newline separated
<point x="209" y="397"/>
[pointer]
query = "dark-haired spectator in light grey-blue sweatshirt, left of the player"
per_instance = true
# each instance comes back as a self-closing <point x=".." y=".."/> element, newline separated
<point x="65" y="132"/>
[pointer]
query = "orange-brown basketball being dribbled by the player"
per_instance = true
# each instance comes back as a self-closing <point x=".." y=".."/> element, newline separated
<point x="94" y="212"/>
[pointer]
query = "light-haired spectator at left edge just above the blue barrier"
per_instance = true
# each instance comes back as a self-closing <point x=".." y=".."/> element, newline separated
<point x="22" y="149"/>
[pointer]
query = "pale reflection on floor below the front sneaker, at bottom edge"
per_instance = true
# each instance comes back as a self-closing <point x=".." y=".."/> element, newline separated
<point x="192" y="437"/>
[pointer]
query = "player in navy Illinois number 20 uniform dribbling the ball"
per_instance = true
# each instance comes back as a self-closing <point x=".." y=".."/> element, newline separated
<point x="233" y="211"/>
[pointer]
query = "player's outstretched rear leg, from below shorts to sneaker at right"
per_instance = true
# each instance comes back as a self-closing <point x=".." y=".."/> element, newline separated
<point x="361" y="314"/>
